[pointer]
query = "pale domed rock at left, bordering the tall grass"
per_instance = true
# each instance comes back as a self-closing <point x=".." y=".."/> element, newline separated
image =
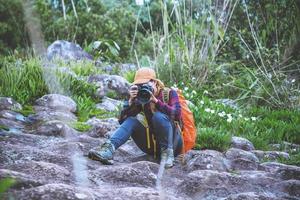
<point x="57" y="102"/>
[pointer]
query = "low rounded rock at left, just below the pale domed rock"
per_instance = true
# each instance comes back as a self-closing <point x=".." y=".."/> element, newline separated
<point x="54" y="128"/>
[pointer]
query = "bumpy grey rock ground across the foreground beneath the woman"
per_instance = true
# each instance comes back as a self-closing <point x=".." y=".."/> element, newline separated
<point x="48" y="160"/>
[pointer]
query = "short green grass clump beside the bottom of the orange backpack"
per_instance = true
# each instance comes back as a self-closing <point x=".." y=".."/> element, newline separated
<point x="210" y="138"/>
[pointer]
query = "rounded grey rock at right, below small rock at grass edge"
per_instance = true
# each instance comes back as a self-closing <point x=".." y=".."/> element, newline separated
<point x="242" y="160"/>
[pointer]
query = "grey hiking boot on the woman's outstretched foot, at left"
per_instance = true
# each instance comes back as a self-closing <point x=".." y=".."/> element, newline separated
<point x="104" y="153"/>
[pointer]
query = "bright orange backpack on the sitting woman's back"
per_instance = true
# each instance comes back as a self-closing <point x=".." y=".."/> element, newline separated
<point x="188" y="128"/>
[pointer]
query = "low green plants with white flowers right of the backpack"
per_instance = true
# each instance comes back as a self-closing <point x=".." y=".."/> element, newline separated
<point x="262" y="126"/>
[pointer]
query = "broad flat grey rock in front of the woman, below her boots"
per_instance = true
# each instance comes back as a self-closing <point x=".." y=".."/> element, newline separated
<point x="134" y="174"/>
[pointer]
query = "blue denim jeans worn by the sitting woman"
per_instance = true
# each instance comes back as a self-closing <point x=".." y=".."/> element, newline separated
<point x="164" y="130"/>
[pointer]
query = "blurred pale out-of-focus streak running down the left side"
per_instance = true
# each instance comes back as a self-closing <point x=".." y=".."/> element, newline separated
<point x="33" y="26"/>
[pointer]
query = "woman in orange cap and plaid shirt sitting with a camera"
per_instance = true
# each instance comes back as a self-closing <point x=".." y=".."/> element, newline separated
<point x="148" y="120"/>
